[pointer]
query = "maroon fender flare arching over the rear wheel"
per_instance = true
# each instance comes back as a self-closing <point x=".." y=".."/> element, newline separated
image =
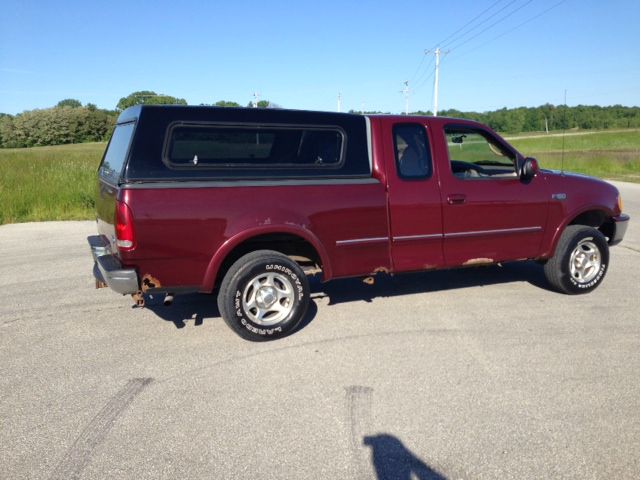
<point x="230" y="244"/>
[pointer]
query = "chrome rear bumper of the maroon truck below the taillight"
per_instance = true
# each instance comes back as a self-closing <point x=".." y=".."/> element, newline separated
<point x="107" y="268"/>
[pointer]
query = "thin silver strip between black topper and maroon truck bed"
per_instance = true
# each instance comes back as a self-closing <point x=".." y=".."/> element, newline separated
<point x="148" y="185"/>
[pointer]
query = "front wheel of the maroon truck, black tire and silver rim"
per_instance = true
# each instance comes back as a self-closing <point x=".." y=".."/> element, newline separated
<point x="580" y="261"/>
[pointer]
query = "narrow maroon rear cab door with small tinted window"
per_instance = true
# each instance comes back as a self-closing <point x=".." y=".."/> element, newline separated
<point x="414" y="198"/>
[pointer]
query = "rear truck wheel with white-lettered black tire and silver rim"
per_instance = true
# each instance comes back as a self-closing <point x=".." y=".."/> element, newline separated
<point x="275" y="307"/>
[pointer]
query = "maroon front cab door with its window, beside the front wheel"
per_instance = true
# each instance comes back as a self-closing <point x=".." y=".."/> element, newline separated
<point x="489" y="213"/>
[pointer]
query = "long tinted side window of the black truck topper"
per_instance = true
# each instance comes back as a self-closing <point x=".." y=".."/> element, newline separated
<point x="219" y="146"/>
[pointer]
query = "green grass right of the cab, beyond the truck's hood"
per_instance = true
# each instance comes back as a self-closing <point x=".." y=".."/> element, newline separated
<point x="604" y="154"/>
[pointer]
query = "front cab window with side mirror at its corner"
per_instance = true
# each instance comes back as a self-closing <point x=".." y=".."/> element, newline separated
<point x="474" y="155"/>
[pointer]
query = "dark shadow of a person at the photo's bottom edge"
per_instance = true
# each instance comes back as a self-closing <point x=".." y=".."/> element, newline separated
<point x="393" y="461"/>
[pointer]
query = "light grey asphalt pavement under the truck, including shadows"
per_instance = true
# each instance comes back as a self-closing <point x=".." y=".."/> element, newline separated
<point x="474" y="373"/>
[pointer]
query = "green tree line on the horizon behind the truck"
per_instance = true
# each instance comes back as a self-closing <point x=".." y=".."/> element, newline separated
<point x="71" y="122"/>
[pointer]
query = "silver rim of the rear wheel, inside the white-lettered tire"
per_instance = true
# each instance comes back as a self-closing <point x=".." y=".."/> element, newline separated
<point x="268" y="298"/>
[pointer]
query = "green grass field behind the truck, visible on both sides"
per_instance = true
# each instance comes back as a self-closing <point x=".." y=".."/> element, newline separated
<point x="58" y="183"/>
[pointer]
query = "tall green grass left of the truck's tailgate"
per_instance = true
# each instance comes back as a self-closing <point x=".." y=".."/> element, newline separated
<point x="49" y="183"/>
